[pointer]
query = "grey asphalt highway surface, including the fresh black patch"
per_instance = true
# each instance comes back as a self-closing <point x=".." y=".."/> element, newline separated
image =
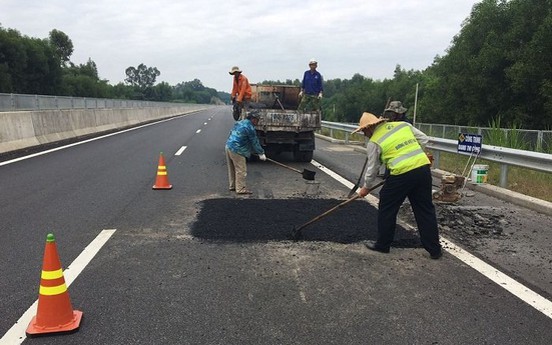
<point x="198" y="264"/>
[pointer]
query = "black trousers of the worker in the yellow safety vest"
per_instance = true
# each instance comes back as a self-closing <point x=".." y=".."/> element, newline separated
<point x="416" y="185"/>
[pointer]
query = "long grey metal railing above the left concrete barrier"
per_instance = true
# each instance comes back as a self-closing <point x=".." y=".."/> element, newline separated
<point x="22" y="102"/>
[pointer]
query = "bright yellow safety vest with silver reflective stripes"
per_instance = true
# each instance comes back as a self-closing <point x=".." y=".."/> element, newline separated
<point x="400" y="151"/>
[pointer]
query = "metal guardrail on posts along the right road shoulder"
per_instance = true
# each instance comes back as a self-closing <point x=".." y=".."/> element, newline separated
<point x="504" y="156"/>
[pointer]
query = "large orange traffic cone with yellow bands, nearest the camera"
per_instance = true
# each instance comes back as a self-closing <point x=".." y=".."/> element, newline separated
<point x="54" y="313"/>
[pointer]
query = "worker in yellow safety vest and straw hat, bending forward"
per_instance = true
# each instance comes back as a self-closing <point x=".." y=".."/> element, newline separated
<point x="399" y="146"/>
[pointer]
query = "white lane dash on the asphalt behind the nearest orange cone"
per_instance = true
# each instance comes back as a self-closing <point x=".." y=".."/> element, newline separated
<point x="16" y="334"/>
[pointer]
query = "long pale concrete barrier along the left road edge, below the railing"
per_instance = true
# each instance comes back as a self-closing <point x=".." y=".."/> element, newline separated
<point x="26" y="129"/>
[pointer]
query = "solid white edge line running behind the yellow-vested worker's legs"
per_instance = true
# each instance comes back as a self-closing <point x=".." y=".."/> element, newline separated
<point x="517" y="289"/>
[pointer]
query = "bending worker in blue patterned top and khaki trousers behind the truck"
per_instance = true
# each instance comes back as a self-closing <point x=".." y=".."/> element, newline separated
<point x="241" y="142"/>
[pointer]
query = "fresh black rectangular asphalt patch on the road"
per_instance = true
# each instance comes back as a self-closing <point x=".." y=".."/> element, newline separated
<point x="262" y="220"/>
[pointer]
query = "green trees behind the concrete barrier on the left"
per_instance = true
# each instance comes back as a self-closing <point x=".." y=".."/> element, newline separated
<point x="42" y="66"/>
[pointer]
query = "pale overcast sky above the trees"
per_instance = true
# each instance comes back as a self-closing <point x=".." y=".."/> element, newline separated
<point x="268" y="40"/>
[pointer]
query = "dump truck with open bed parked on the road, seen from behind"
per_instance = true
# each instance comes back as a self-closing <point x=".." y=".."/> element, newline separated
<point x="281" y="127"/>
